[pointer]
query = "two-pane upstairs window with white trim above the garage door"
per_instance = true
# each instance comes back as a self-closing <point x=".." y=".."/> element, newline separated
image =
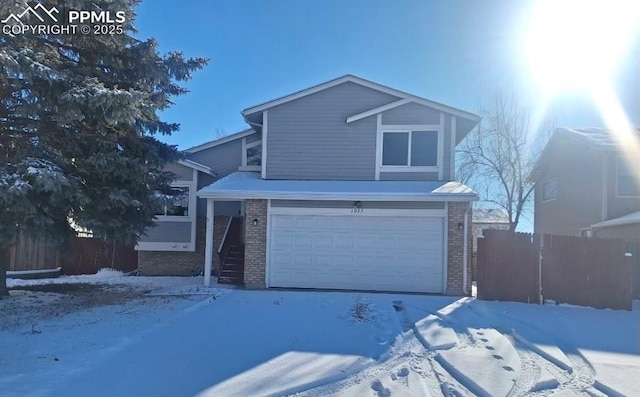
<point x="410" y="148"/>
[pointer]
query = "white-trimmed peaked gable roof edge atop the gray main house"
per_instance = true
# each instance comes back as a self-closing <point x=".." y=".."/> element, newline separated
<point x="366" y="83"/>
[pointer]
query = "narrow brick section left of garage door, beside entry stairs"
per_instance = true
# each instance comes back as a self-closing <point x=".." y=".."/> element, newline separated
<point x="255" y="245"/>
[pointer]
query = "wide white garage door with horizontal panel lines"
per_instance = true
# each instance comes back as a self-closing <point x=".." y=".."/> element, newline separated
<point x="357" y="252"/>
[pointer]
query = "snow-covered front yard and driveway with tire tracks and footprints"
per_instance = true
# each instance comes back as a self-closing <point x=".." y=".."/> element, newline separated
<point x="112" y="335"/>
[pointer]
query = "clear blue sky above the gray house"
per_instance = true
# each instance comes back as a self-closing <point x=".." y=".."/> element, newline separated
<point x="456" y="52"/>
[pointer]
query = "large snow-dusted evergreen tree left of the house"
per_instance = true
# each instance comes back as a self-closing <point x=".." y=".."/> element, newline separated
<point x="78" y="126"/>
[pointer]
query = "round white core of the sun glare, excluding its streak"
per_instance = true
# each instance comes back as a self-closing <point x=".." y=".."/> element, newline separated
<point x="575" y="44"/>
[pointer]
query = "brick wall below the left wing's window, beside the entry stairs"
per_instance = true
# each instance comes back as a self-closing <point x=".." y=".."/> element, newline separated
<point x="179" y="263"/>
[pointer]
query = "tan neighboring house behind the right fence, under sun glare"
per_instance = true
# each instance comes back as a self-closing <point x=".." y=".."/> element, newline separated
<point x="587" y="184"/>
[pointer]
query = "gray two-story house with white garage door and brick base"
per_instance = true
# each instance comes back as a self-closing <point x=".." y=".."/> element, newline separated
<point x="345" y="185"/>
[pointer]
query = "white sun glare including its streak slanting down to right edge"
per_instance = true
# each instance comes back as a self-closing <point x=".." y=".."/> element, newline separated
<point x="575" y="45"/>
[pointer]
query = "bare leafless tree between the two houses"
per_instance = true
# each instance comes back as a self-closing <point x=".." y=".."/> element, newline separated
<point x="497" y="157"/>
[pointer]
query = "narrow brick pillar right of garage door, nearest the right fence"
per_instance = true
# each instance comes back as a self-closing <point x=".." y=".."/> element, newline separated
<point x="455" y="249"/>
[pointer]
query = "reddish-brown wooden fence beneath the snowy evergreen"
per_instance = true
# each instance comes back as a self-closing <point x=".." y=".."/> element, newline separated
<point x="82" y="255"/>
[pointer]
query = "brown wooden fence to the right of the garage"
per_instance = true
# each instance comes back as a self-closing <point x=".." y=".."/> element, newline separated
<point x="578" y="270"/>
